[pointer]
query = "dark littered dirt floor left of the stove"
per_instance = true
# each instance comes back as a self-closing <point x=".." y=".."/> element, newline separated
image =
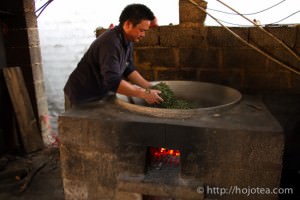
<point x="32" y="177"/>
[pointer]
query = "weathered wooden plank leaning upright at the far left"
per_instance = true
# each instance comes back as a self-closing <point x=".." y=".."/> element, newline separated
<point x="29" y="131"/>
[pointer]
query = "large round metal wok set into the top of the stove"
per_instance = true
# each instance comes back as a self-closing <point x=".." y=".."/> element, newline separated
<point x="206" y="97"/>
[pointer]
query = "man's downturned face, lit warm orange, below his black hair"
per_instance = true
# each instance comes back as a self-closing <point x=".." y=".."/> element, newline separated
<point x="138" y="32"/>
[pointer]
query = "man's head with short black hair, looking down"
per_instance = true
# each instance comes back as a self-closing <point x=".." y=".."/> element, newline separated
<point x="135" y="20"/>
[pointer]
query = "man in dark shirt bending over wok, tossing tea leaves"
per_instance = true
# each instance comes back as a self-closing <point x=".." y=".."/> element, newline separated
<point x="108" y="63"/>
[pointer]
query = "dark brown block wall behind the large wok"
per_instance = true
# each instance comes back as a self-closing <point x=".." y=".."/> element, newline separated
<point x="213" y="54"/>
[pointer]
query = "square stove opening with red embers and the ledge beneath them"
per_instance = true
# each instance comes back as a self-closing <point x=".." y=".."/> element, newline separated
<point x="162" y="167"/>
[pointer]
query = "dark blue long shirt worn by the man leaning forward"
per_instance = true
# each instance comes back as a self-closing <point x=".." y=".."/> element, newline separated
<point x="107" y="61"/>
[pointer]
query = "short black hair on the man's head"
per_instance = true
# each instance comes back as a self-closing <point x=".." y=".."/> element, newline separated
<point x="135" y="13"/>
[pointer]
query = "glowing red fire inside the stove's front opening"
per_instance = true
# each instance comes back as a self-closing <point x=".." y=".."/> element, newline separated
<point x="164" y="157"/>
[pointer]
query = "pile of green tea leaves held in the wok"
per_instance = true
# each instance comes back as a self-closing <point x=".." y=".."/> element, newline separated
<point x="170" y="100"/>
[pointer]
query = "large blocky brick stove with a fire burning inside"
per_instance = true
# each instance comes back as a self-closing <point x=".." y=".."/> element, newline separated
<point x="111" y="152"/>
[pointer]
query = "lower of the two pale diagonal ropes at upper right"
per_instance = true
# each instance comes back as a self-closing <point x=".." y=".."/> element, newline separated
<point x="245" y="42"/>
